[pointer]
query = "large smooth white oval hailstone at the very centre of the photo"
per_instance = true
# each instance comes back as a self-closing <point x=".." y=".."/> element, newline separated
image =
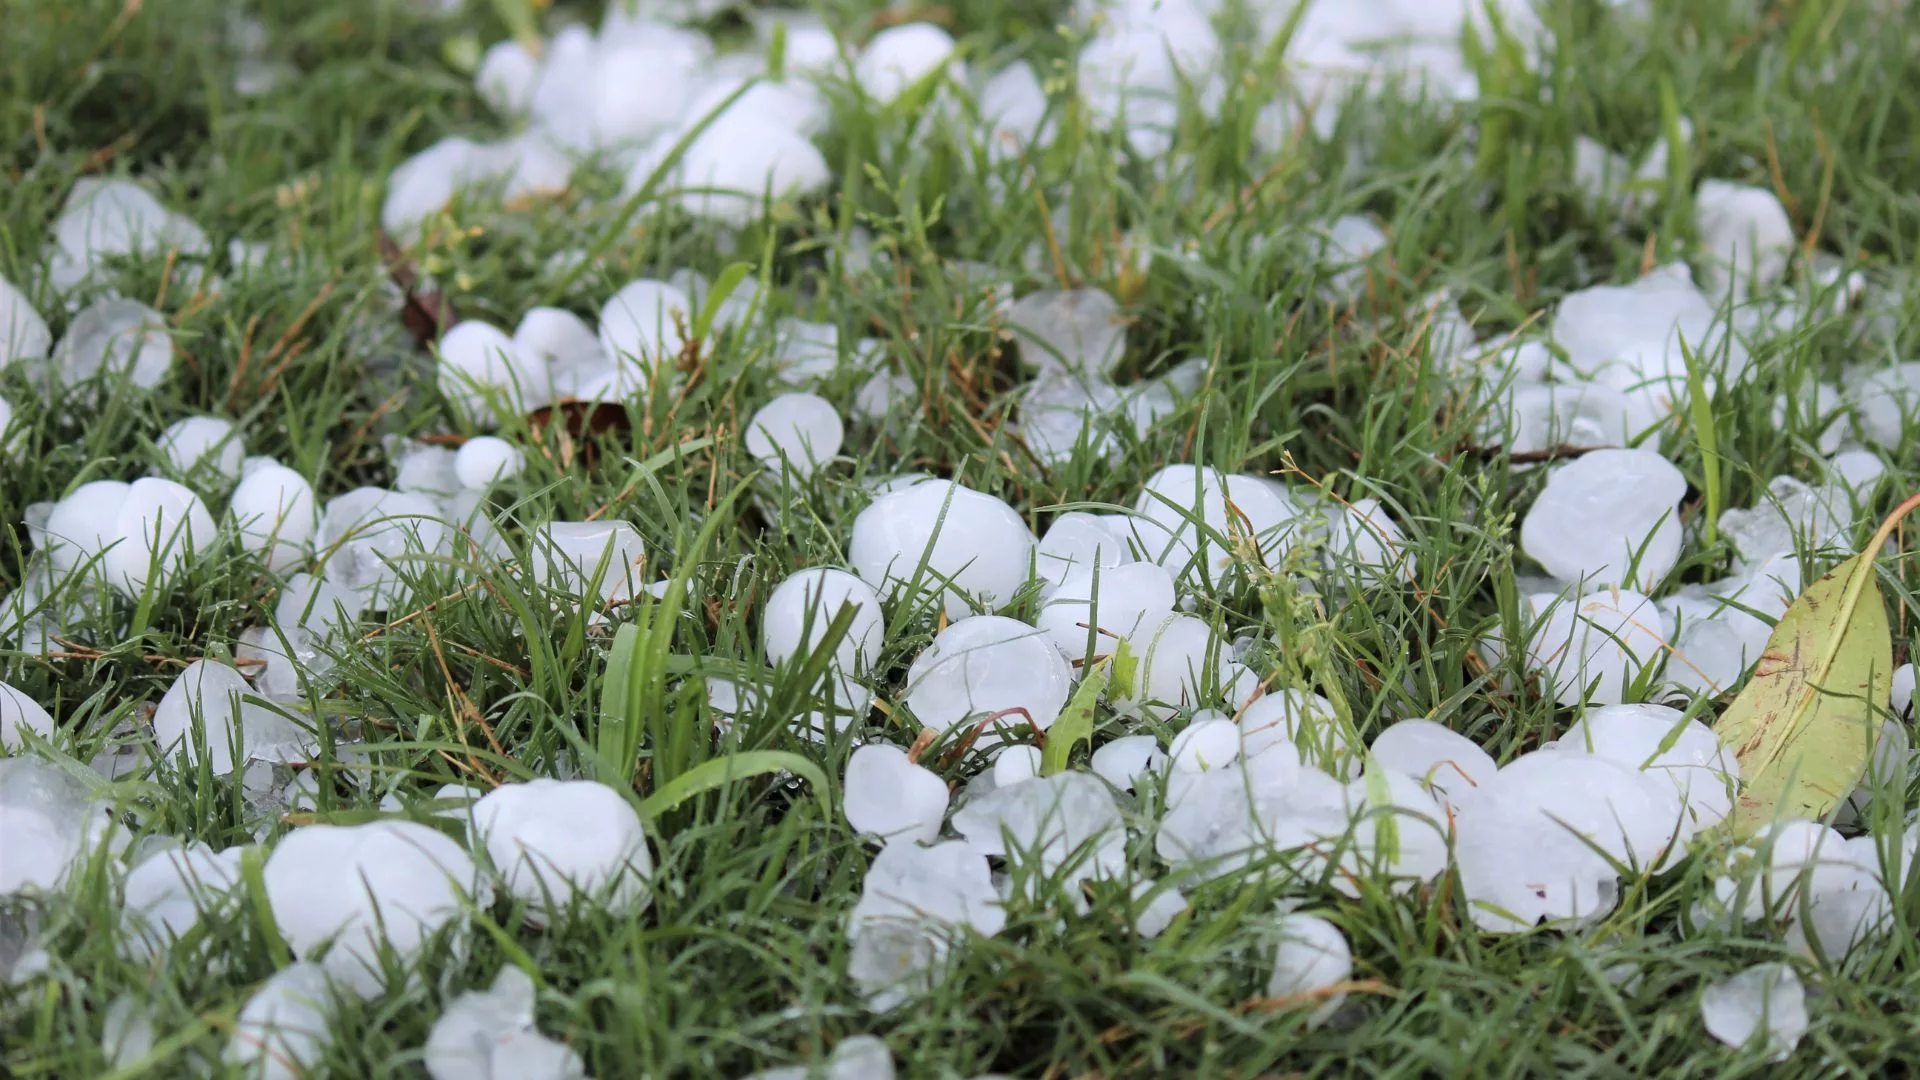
<point x="974" y="543"/>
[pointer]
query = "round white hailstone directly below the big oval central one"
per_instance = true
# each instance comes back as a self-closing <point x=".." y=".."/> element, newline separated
<point x="988" y="668"/>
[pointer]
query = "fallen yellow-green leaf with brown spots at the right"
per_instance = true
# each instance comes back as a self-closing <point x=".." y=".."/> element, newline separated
<point x="1806" y="725"/>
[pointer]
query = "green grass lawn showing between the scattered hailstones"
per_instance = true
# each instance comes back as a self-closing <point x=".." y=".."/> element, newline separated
<point x="740" y="964"/>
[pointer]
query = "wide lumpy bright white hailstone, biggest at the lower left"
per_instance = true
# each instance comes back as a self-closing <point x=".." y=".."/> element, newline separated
<point x="364" y="889"/>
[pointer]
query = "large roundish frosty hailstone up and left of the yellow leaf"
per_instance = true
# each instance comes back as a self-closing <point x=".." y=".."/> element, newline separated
<point x="1604" y="510"/>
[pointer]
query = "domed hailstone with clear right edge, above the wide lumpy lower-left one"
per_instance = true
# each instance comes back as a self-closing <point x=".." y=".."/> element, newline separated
<point x="208" y="712"/>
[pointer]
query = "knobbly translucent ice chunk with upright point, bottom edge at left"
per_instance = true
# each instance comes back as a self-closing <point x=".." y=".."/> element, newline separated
<point x="489" y="1035"/>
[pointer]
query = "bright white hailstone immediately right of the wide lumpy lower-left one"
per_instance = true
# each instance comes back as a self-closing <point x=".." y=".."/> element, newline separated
<point x="565" y="843"/>
